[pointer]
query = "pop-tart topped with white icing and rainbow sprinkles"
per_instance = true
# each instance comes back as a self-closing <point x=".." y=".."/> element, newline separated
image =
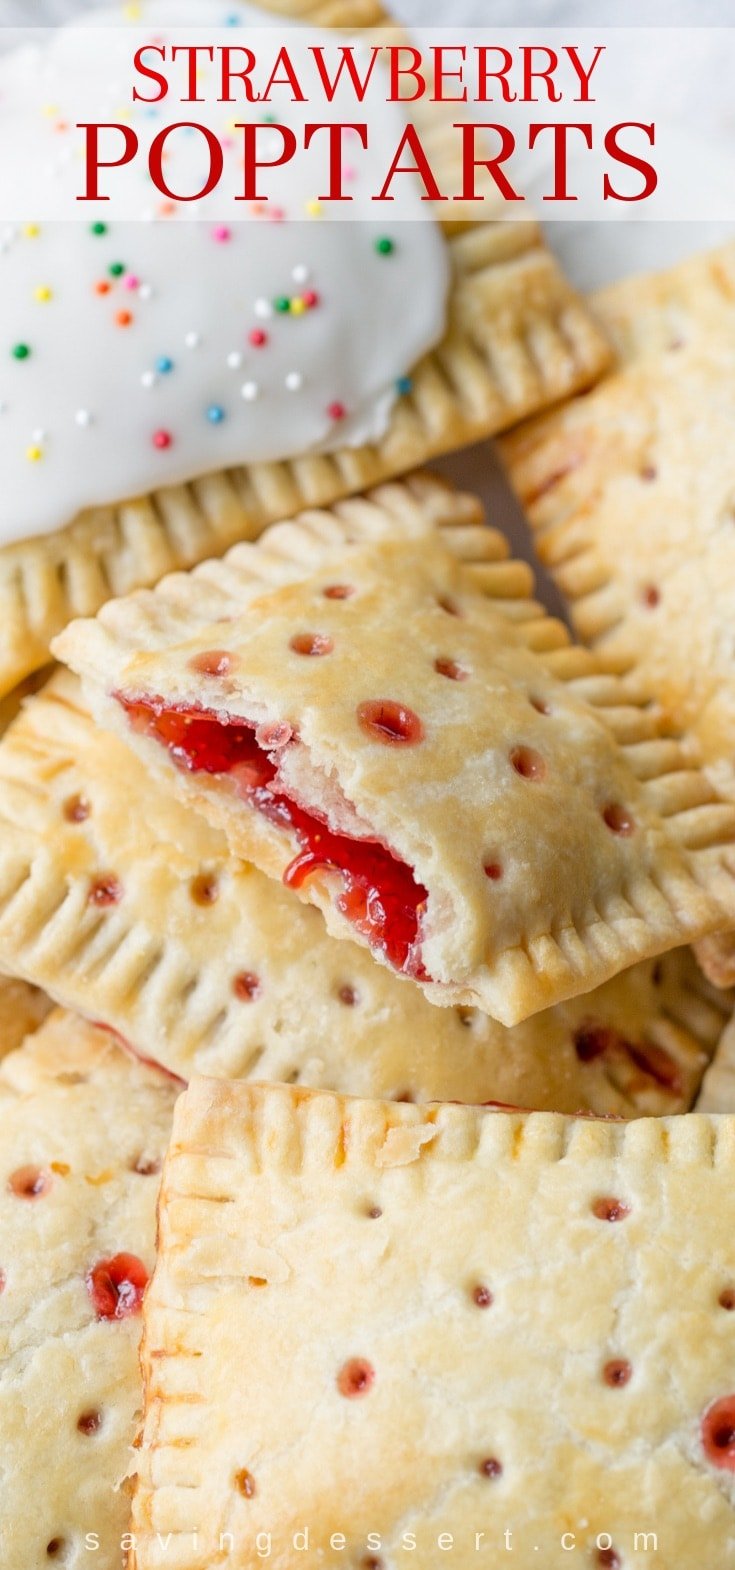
<point x="153" y="412"/>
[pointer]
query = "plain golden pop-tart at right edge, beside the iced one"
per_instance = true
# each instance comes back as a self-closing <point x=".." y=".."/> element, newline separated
<point x="631" y="494"/>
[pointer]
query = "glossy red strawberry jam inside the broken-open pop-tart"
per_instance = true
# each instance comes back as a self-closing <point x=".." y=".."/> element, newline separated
<point x="381" y="897"/>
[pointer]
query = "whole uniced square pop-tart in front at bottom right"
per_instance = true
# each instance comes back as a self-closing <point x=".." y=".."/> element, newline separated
<point x="381" y="1332"/>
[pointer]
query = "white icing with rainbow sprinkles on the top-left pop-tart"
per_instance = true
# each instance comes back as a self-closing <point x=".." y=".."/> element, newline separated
<point x="158" y="376"/>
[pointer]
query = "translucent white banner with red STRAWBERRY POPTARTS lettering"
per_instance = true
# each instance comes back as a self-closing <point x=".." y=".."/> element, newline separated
<point x="101" y="122"/>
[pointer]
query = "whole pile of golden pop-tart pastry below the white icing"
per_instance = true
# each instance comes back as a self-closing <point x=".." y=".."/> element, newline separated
<point x="342" y="853"/>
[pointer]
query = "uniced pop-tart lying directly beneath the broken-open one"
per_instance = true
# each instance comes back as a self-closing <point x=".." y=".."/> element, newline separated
<point x="208" y="966"/>
